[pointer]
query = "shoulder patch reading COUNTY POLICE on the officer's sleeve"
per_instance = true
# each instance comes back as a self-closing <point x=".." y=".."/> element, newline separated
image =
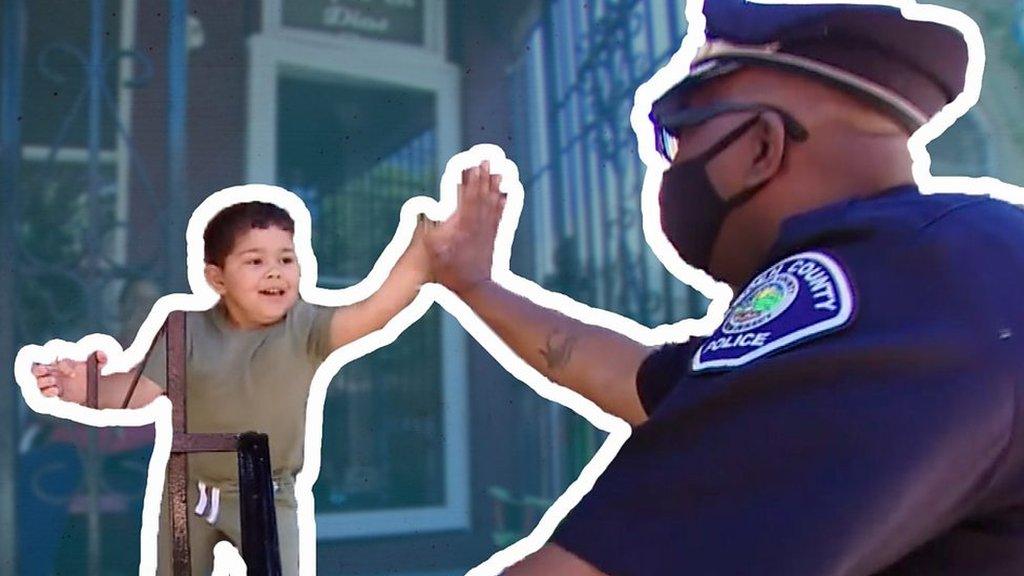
<point x="801" y="298"/>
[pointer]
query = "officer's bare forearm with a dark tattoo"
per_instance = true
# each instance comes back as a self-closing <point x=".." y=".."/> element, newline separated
<point x="595" y="362"/>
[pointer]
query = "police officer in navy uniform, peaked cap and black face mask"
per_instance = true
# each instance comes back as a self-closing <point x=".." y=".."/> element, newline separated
<point x="861" y="409"/>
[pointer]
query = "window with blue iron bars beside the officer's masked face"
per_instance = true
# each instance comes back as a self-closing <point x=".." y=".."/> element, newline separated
<point x="580" y="167"/>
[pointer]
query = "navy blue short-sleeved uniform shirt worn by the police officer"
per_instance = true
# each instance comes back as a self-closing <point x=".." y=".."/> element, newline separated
<point x="859" y="413"/>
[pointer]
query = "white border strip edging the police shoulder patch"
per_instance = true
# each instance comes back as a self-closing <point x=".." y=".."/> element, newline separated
<point x="843" y="294"/>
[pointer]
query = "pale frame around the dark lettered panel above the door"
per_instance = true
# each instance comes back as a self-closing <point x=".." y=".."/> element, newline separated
<point x="435" y="33"/>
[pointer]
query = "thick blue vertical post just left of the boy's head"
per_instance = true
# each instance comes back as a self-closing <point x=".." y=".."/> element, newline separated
<point x="178" y="100"/>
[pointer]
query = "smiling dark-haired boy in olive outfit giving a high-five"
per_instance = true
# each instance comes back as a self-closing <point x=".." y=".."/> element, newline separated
<point x="251" y="359"/>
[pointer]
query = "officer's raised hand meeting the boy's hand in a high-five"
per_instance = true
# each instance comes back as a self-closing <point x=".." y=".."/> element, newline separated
<point x="462" y="249"/>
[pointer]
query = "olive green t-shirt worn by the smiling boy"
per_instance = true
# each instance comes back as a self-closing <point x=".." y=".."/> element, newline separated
<point x="241" y="381"/>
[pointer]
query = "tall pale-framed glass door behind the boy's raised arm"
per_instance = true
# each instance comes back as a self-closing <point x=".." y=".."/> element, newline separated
<point x="356" y="137"/>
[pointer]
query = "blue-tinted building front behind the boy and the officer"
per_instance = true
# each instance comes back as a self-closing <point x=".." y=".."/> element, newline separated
<point x="121" y="116"/>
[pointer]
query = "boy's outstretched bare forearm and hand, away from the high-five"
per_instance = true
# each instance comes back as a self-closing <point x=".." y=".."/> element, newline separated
<point x="66" y="380"/>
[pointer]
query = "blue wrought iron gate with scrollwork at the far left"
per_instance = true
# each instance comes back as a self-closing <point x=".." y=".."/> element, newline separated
<point x="71" y="175"/>
